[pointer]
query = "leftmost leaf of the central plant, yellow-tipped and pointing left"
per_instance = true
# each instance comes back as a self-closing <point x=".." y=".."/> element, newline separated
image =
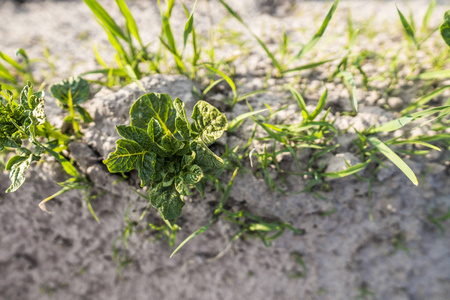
<point x="125" y="157"/>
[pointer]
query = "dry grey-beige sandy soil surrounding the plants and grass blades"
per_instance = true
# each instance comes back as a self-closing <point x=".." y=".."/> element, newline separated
<point x="361" y="246"/>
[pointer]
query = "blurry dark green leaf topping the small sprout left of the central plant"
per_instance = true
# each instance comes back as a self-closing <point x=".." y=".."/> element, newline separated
<point x="78" y="87"/>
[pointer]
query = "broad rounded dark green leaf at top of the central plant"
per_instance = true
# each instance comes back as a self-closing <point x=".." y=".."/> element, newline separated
<point x="153" y="105"/>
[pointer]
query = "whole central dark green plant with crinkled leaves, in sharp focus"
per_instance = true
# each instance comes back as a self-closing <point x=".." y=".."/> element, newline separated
<point x="161" y="138"/>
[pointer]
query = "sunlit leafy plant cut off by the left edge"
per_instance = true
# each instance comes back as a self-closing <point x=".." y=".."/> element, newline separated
<point x="25" y="120"/>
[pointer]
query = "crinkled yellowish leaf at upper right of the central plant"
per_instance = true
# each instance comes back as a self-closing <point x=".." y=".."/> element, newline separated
<point x="209" y="123"/>
